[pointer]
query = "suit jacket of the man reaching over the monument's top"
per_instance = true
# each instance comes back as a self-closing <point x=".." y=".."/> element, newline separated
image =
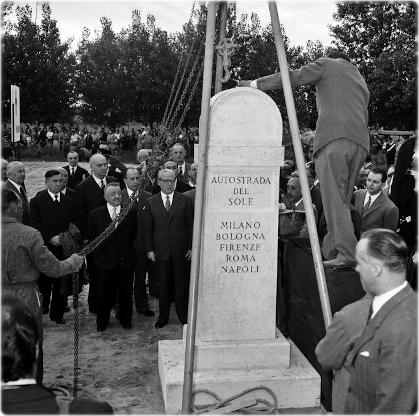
<point x="341" y="95"/>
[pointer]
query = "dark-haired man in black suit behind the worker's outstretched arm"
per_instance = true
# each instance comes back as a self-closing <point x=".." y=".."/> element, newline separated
<point x="51" y="214"/>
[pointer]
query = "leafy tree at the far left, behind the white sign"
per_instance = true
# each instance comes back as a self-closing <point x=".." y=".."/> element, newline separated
<point x="41" y="65"/>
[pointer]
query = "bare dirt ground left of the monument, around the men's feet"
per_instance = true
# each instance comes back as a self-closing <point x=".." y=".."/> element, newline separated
<point x="117" y="366"/>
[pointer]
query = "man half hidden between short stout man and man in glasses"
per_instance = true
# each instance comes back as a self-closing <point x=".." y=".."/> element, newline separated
<point x="132" y="182"/>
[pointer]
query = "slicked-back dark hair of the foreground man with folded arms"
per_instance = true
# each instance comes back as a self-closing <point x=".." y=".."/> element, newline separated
<point x="387" y="247"/>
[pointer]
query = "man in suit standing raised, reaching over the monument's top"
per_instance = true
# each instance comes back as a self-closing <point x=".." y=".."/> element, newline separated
<point x="341" y="142"/>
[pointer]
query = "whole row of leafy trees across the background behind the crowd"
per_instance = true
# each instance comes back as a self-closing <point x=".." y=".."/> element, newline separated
<point x="112" y="78"/>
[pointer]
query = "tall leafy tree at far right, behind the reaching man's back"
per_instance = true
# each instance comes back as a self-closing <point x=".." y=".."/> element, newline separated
<point x="380" y="40"/>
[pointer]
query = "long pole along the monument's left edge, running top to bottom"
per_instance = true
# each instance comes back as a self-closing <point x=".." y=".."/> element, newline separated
<point x="199" y="203"/>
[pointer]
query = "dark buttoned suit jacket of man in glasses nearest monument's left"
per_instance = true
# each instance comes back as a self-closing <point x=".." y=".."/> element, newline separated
<point x="168" y="233"/>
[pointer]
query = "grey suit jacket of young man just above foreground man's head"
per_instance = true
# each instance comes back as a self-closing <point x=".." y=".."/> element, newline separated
<point x="381" y="214"/>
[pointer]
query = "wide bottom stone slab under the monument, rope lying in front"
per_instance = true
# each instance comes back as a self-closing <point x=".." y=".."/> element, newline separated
<point x="295" y="386"/>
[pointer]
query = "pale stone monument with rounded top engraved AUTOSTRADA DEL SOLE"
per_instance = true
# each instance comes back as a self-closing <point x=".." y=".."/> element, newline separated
<point x="237" y="343"/>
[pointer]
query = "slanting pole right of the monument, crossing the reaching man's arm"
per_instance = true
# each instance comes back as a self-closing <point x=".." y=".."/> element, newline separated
<point x="308" y="207"/>
